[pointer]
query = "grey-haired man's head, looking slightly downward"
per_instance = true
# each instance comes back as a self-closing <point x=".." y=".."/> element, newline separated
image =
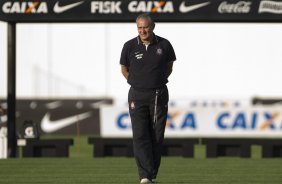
<point x="145" y="29"/>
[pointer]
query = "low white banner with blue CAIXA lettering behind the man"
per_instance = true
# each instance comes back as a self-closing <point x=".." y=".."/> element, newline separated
<point x="248" y="122"/>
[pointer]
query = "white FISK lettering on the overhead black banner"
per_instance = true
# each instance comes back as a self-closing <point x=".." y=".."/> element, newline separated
<point x="106" y="7"/>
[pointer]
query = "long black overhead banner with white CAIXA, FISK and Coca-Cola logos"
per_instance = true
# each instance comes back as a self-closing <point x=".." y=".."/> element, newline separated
<point x="127" y="10"/>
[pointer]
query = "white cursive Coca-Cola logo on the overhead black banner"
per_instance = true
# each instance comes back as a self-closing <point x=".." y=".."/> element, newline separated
<point x="239" y="7"/>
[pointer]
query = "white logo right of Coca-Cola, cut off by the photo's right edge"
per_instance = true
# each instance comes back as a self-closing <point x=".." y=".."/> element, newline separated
<point x="270" y="7"/>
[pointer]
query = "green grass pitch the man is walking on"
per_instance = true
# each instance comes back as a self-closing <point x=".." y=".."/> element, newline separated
<point x="82" y="168"/>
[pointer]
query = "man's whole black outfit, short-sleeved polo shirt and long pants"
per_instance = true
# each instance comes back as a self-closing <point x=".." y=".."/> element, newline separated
<point x="148" y="98"/>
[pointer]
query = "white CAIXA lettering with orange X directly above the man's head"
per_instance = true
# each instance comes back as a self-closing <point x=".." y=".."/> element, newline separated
<point x="151" y="6"/>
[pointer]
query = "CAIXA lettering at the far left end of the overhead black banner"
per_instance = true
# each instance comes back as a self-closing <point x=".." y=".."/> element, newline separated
<point x="25" y="7"/>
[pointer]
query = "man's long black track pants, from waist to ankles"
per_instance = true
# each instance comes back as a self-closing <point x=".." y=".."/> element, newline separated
<point x="148" y="112"/>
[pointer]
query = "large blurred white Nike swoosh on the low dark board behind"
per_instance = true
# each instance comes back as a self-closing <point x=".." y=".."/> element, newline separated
<point x="49" y="126"/>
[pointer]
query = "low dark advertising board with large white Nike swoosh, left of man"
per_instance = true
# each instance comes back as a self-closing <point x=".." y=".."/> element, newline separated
<point x="58" y="116"/>
